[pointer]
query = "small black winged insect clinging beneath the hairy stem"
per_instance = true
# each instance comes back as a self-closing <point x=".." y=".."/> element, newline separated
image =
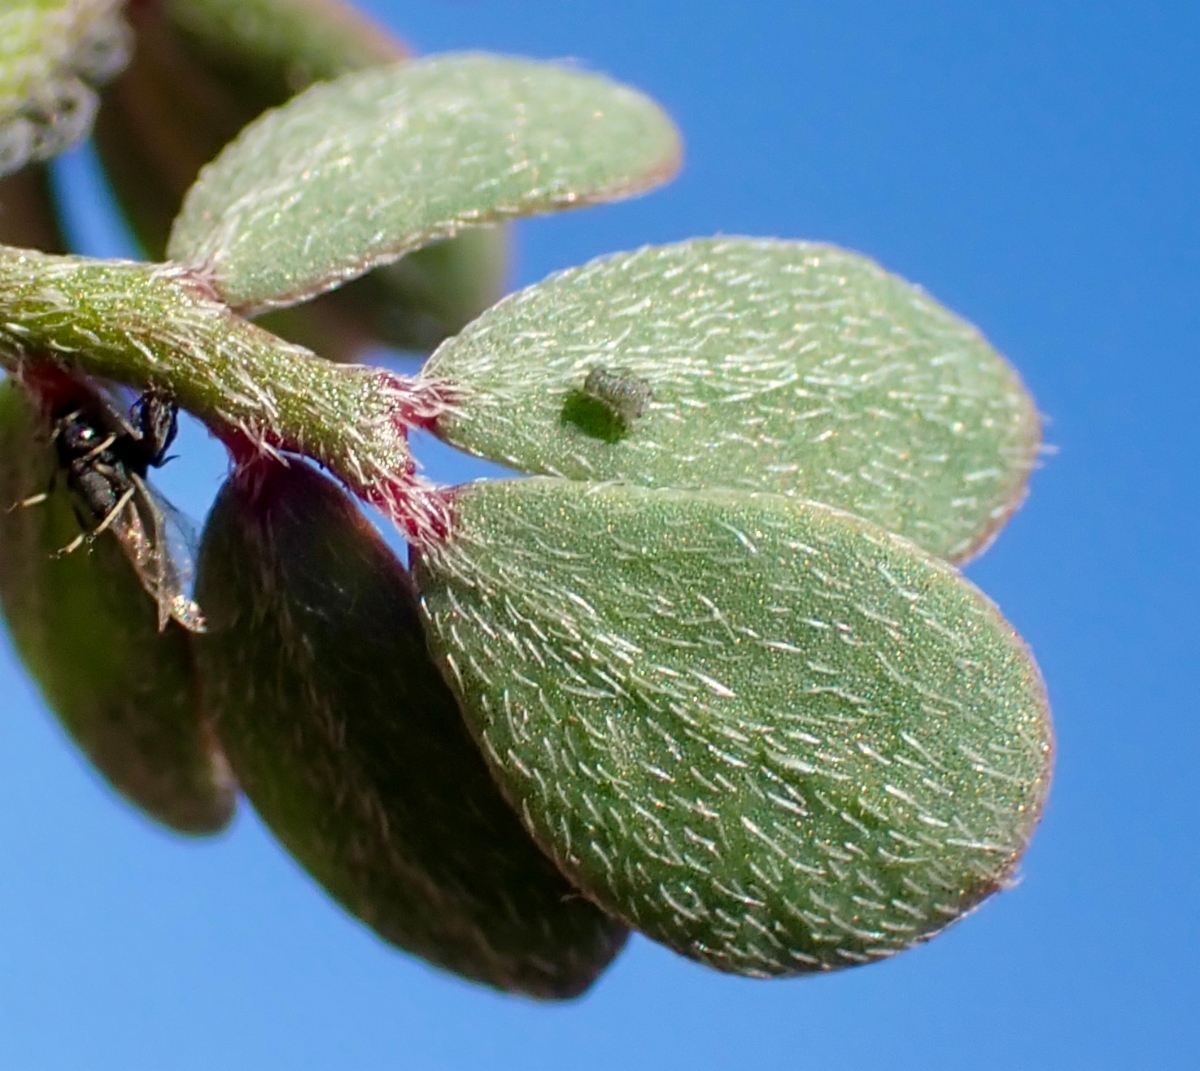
<point x="105" y="459"/>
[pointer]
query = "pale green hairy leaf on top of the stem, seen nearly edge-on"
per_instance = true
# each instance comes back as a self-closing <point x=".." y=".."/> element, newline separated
<point x="357" y="172"/>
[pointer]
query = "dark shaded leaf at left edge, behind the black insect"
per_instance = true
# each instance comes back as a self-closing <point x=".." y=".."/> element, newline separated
<point x="127" y="693"/>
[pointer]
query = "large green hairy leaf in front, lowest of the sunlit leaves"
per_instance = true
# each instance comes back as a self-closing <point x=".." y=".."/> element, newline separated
<point x="769" y="734"/>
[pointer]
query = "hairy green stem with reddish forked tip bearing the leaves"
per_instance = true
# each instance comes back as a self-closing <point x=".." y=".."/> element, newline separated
<point x="158" y="326"/>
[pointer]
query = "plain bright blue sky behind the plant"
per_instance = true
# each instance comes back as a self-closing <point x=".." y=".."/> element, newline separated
<point x="1035" y="166"/>
